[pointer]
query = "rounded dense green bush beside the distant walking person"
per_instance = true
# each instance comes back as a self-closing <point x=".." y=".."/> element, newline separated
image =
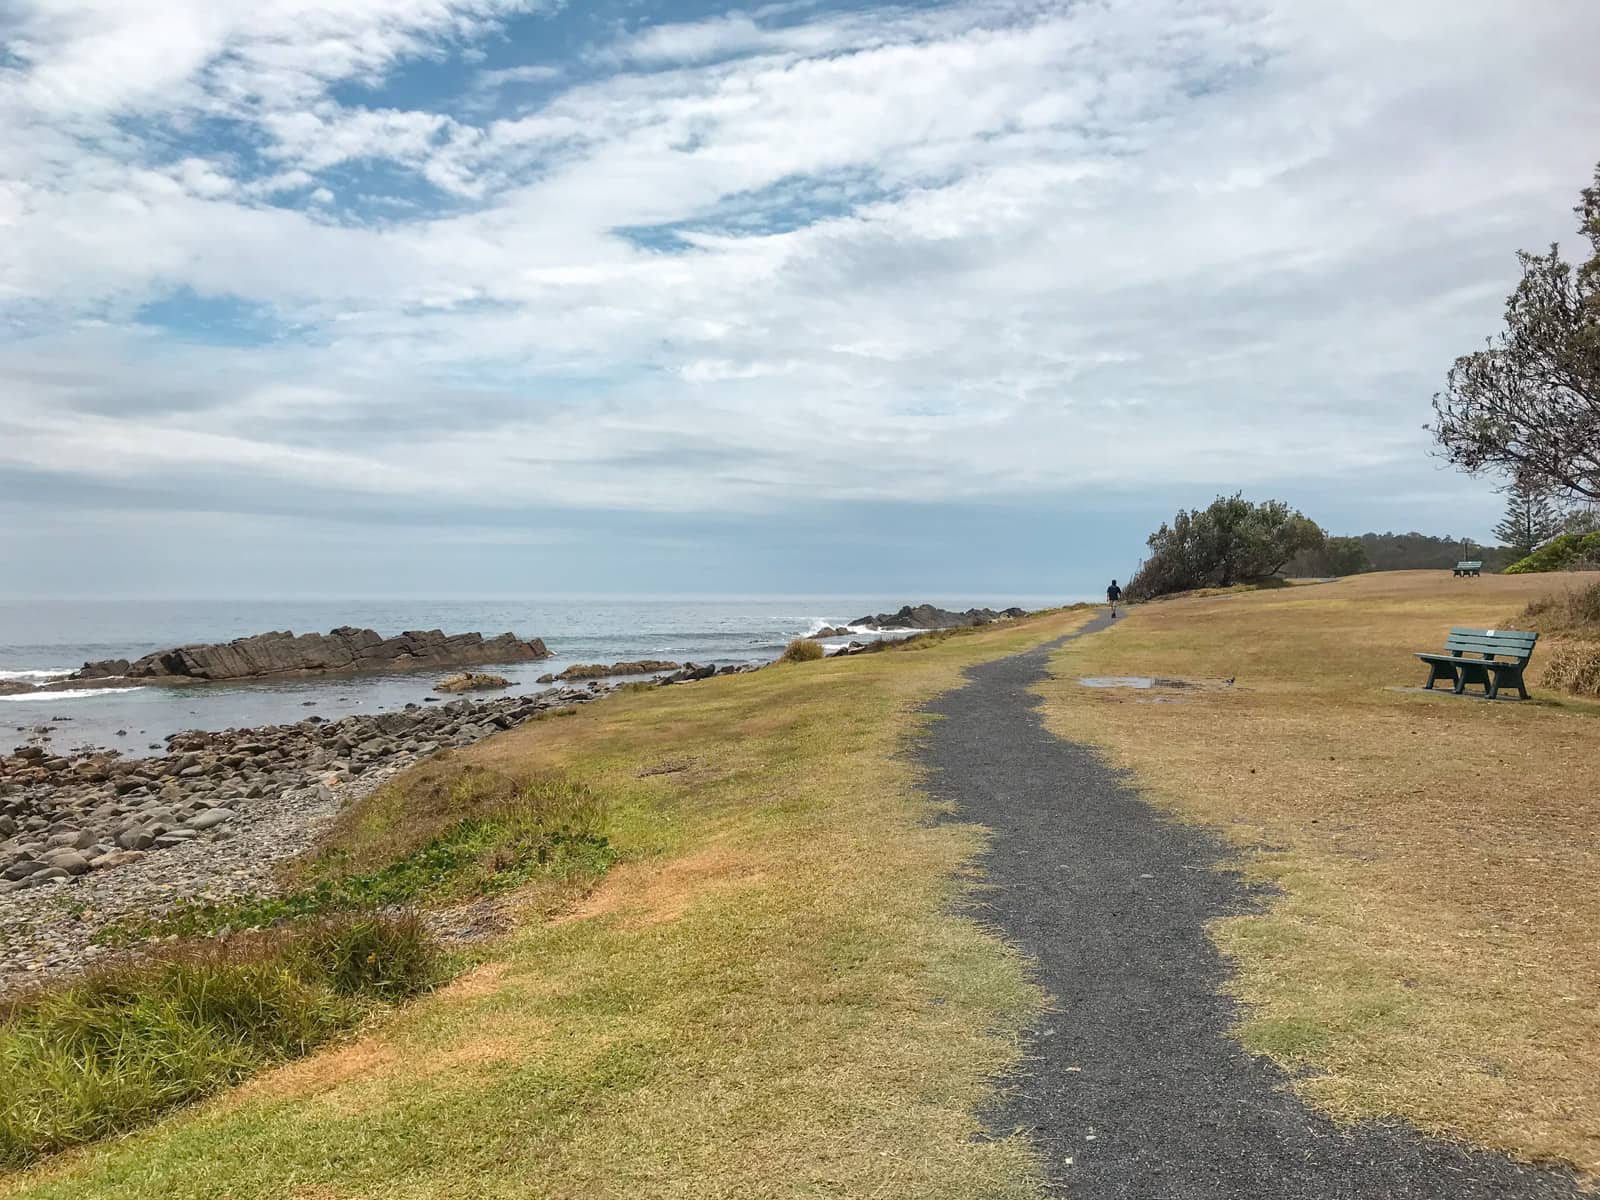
<point x="1233" y="542"/>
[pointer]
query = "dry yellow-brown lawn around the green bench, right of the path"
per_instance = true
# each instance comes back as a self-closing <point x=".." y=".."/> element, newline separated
<point x="1434" y="950"/>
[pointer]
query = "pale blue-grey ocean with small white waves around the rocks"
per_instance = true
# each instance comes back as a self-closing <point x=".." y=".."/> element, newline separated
<point x="42" y="641"/>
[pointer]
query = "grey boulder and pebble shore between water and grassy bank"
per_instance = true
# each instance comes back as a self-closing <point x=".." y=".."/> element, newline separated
<point x="94" y="838"/>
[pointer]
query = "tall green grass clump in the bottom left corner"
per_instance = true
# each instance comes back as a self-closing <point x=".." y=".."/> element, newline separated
<point x="126" y="1044"/>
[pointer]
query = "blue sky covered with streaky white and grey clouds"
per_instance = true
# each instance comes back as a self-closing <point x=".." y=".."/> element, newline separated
<point x="495" y="297"/>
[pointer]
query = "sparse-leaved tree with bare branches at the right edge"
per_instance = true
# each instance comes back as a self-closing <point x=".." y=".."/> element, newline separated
<point x="1530" y="402"/>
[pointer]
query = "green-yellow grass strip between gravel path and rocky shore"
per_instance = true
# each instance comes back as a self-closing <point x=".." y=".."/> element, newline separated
<point x="770" y="1001"/>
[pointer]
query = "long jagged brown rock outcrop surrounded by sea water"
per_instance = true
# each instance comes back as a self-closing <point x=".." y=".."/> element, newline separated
<point x="340" y="650"/>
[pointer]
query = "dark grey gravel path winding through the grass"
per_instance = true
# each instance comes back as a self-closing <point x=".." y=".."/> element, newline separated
<point x="1134" y="1089"/>
